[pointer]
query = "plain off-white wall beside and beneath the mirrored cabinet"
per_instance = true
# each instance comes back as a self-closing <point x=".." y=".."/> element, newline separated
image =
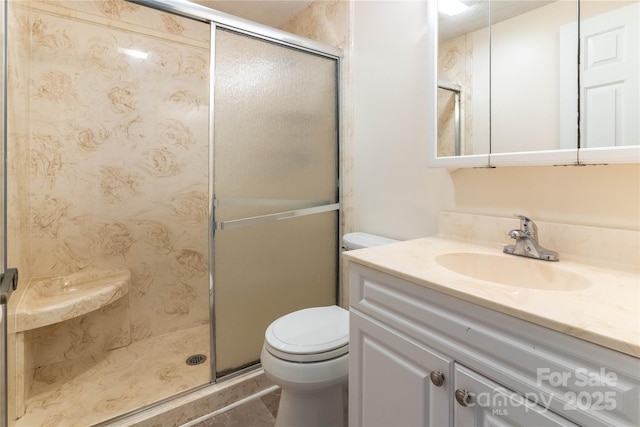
<point x="396" y="194"/>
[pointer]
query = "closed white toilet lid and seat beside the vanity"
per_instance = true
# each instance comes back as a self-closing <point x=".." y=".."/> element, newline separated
<point x="312" y="334"/>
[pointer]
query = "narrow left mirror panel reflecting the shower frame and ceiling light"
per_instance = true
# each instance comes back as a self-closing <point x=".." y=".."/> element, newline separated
<point x="462" y="36"/>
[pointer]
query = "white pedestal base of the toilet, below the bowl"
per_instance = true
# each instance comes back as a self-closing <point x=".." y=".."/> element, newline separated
<point x="324" y="408"/>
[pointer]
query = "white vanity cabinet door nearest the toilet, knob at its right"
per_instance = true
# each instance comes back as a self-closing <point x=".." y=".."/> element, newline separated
<point x="390" y="379"/>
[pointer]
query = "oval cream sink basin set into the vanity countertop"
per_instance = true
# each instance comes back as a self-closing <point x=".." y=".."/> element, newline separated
<point x="513" y="271"/>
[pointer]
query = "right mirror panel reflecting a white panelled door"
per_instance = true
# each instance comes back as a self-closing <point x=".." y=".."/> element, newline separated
<point x="610" y="73"/>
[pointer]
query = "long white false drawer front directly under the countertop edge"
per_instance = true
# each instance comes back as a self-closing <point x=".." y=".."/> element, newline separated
<point x="586" y="383"/>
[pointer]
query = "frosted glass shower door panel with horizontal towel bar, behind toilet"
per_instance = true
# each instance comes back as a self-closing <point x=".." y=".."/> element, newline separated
<point x="275" y="189"/>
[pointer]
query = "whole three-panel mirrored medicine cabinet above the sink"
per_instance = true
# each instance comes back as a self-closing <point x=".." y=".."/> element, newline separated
<point x="507" y="82"/>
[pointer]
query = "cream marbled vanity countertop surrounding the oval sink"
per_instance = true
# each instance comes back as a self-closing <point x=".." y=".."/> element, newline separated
<point x="605" y="313"/>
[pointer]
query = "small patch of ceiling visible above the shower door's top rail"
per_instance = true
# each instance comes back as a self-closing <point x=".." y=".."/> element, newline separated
<point x="273" y="13"/>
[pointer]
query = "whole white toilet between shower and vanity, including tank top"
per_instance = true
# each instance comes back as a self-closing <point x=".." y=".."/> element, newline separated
<point x="306" y="353"/>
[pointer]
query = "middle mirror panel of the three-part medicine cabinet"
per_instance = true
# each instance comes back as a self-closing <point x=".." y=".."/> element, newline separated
<point x="534" y="85"/>
